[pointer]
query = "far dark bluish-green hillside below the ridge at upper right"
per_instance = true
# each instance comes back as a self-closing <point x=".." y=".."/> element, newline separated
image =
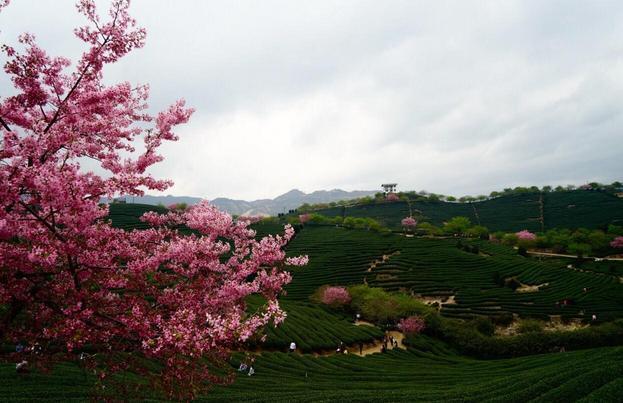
<point x="531" y="211"/>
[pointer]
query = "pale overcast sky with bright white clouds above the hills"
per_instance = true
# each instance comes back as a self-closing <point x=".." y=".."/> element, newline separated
<point x="451" y="97"/>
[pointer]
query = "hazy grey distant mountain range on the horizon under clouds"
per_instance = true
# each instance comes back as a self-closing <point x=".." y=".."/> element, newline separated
<point x="280" y="204"/>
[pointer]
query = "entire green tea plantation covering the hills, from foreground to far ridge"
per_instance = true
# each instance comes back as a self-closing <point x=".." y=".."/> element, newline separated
<point x="465" y="282"/>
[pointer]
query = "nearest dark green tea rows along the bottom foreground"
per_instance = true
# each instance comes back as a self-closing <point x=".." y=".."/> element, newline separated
<point x="434" y="374"/>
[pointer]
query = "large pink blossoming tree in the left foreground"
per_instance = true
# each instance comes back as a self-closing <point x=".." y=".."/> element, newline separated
<point x="67" y="278"/>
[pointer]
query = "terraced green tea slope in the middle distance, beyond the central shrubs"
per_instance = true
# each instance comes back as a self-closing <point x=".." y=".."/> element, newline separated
<point x="437" y="269"/>
